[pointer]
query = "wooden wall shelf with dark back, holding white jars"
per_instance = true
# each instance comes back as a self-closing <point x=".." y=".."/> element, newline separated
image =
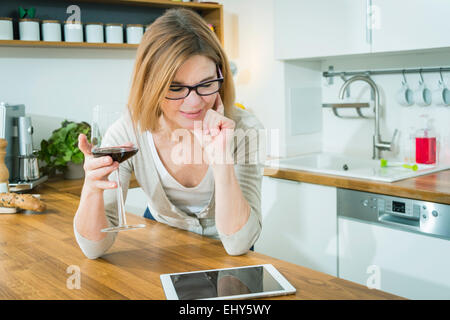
<point x="105" y="11"/>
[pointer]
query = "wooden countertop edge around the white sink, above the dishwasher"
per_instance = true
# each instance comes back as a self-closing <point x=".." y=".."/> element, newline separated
<point x="434" y="187"/>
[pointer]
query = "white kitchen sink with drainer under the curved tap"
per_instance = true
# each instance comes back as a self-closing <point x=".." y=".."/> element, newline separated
<point x="342" y="165"/>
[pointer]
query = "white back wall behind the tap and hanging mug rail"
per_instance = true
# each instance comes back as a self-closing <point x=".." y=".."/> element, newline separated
<point x="355" y="136"/>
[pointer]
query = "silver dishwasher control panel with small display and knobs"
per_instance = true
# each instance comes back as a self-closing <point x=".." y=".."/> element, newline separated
<point x="403" y="213"/>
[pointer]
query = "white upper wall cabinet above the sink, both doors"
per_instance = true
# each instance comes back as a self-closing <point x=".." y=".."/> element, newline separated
<point x="322" y="28"/>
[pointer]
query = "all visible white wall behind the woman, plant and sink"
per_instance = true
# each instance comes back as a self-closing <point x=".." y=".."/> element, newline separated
<point x="58" y="83"/>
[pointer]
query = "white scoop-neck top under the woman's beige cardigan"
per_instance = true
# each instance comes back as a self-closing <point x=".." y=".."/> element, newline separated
<point x="190" y="200"/>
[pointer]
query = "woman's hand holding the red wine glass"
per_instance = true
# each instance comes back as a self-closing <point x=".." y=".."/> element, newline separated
<point x="96" y="170"/>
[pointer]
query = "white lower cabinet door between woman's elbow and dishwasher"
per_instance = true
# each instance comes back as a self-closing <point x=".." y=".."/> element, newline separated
<point x="299" y="224"/>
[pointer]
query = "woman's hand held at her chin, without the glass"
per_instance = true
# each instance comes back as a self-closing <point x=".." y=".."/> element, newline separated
<point x="215" y="135"/>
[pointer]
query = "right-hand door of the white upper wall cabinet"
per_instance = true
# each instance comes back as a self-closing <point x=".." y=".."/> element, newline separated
<point x="410" y="25"/>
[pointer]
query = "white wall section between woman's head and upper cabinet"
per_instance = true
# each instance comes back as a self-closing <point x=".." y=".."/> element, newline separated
<point x="248" y="41"/>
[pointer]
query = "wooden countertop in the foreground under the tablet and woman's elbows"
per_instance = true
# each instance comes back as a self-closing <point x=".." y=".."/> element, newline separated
<point x="36" y="251"/>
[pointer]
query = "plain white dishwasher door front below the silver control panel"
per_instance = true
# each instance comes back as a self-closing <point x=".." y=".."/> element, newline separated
<point x="407" y="264"/>
